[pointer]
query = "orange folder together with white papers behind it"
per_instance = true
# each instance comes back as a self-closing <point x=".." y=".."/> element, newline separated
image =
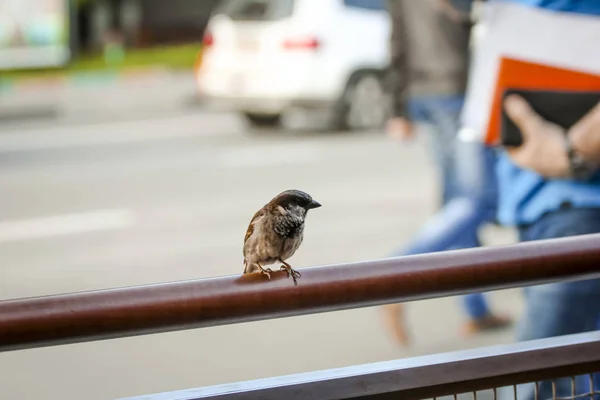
<point x="528" y="48"/>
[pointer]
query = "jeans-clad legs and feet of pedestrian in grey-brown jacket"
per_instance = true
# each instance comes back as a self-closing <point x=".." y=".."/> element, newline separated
<point x="456" y="225"/>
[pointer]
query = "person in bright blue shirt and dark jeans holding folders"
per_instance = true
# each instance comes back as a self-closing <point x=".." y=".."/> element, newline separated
<point x="550" y="188"/>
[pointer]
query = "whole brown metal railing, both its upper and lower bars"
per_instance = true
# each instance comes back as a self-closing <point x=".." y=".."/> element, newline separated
<point x="95" y="315"/>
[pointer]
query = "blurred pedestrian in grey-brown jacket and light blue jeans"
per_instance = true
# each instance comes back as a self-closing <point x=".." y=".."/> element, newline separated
<point x="427" y="82"/>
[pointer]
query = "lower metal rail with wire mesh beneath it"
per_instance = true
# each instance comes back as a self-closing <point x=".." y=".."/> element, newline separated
<point x="534" y="370"/>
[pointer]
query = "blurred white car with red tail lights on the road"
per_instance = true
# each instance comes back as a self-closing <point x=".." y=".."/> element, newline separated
<point x="275" y="61"/>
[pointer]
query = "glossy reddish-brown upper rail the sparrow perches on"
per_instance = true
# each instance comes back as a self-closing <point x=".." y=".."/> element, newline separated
<point x="104" y="314"/>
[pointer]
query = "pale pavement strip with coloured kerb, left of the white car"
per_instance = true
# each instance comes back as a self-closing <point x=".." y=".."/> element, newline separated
<point x="97" y="96"/>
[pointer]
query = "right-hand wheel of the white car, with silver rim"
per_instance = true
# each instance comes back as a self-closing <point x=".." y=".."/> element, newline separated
<point x="365" y="104"/>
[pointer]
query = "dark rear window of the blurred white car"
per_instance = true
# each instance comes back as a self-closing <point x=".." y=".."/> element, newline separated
<point x="257" y="10"/>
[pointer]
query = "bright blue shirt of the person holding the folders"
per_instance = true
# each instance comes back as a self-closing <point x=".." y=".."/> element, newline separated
<point x="524" y="196"/>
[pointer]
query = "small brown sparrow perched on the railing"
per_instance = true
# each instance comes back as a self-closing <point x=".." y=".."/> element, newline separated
<point x="276" y="232"/>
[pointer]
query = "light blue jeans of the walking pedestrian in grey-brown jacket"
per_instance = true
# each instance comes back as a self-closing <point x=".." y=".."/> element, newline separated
<point x="468" y="187"/>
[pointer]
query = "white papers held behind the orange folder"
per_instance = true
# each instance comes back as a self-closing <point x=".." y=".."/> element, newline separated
<point x="559" y="39"/>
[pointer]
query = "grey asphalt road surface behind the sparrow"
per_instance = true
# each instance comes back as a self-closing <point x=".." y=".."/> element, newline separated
<point x="168" y="198"/>
